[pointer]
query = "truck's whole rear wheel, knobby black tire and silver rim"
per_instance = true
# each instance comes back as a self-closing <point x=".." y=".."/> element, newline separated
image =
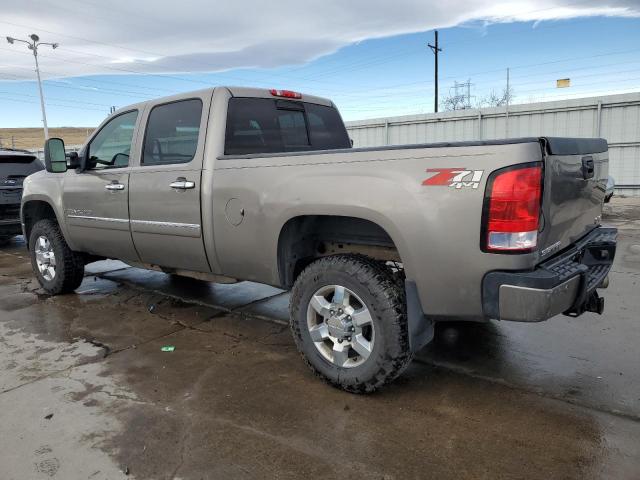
<point x="349" y="321"/>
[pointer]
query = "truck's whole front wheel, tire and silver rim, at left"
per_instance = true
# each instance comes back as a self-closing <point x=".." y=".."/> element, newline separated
<point x="58" y="268"/>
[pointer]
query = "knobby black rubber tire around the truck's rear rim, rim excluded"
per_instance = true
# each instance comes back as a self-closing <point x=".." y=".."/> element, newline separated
<point x="375" y="285"/>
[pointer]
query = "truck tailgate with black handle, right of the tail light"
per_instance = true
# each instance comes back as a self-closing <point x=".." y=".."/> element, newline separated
<point x="576" y="171"/>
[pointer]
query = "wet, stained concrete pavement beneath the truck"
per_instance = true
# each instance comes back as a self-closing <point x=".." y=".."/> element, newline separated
<point x="87" y="393"/>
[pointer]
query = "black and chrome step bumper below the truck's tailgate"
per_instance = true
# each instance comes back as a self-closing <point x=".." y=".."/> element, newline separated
<point x="566" y="283"/>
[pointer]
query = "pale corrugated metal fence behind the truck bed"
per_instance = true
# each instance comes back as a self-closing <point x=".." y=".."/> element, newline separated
<point x="614" y="117"/>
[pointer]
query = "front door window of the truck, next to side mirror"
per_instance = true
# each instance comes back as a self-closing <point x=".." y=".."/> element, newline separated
<point x="111" y="147"/>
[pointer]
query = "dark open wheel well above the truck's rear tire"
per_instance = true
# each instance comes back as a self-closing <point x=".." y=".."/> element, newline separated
<point x="304" y="239"/>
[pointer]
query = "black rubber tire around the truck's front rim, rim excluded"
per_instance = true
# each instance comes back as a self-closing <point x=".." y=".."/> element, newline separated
<point x="69" y="264"/>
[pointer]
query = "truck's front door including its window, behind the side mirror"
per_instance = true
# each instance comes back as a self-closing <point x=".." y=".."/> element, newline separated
<point x="96" y="200"/>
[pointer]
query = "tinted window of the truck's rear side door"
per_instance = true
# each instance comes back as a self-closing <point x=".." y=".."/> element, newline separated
<point x="172" y="133"/>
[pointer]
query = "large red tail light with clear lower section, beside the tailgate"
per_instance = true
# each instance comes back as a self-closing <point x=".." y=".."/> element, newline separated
<point x="512" y="213"/>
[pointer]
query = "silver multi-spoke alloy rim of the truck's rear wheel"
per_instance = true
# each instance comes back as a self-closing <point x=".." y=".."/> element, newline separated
<point x="340" y="326"/>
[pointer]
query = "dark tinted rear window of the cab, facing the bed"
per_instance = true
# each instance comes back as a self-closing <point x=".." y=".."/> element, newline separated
<point x="264" y="125"/>
